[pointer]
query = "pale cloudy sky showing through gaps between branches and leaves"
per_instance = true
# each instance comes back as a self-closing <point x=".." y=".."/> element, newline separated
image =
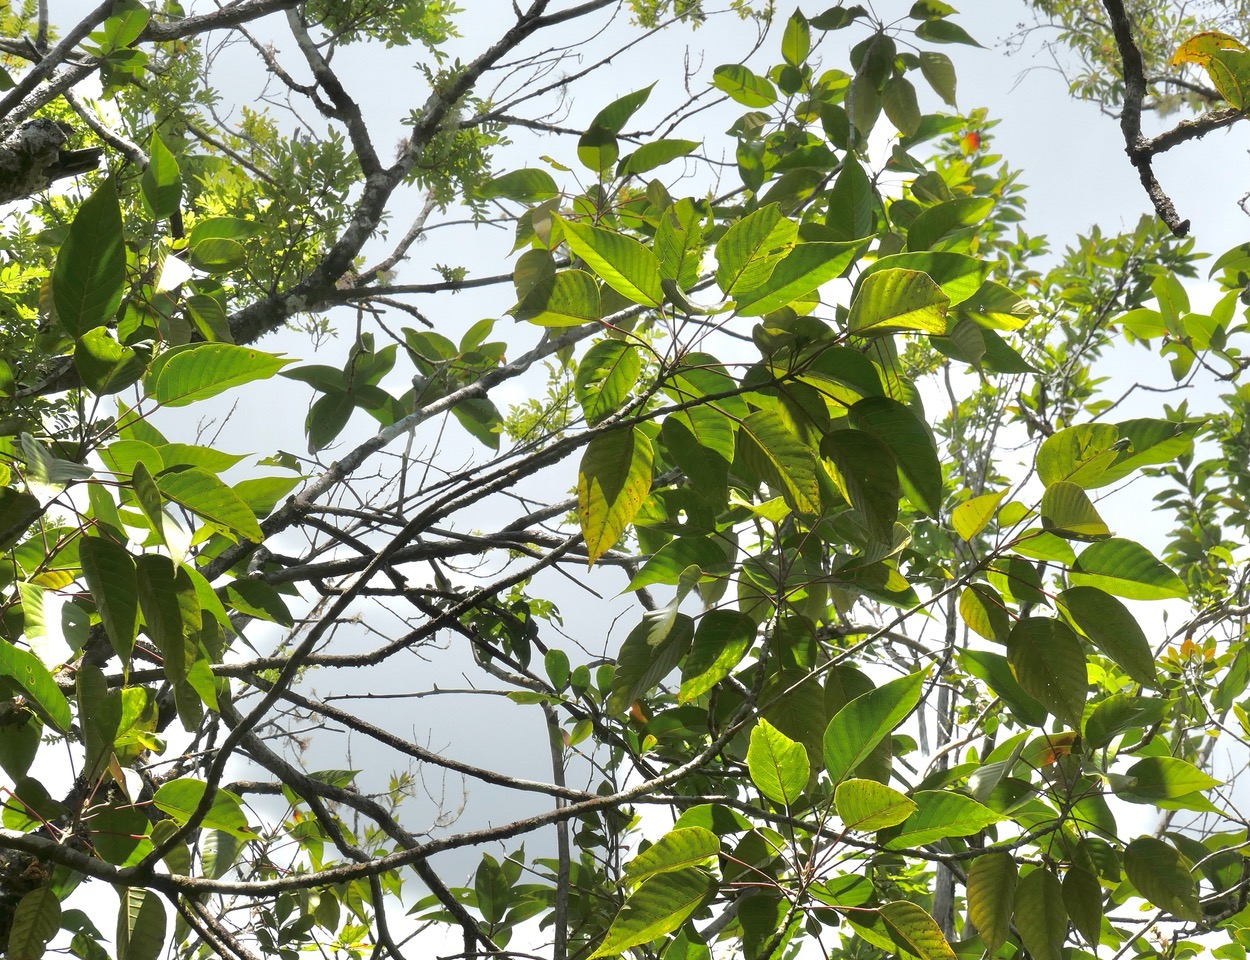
<point x="1073" y="161"/>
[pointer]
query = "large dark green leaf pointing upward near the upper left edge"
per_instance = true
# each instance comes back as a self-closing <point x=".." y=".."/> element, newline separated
<point x="91" y="272"/>
